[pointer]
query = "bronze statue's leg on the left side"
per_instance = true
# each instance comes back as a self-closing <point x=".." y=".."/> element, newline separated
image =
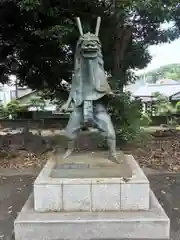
<point x="72" y="129"/>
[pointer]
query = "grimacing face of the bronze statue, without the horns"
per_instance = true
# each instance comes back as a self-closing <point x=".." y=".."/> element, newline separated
<point x="90" y="45"/>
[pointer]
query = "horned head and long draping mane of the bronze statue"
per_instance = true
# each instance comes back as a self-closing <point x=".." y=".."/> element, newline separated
<point x="89" y="66"/>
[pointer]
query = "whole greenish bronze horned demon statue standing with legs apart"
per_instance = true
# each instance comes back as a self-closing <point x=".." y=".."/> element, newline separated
<point x="88" y="89"/>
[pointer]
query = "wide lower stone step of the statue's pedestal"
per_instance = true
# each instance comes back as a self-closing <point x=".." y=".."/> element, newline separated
<point x="152" y="224"/>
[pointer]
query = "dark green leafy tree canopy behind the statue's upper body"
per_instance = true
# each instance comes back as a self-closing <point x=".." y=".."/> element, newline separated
<point x="38" y="37"/>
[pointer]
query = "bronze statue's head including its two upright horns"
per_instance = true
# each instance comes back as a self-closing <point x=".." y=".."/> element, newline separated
<point x="89" y="43"/>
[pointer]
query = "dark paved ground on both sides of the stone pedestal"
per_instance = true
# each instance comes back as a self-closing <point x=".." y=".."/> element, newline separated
<point x="14" y="191"/>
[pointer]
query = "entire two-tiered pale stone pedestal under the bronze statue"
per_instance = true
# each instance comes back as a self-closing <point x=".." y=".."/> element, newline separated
<point x="89" y="197"/>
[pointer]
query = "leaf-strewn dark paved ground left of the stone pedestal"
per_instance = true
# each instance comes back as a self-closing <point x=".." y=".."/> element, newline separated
<point x="14" y="191"/>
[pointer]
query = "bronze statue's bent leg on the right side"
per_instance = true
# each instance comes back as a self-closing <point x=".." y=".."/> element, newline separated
<point x="104" y="124"/>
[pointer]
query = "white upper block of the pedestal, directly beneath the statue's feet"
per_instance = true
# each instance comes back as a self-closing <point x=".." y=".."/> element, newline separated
<point x="101" y="187"/>
